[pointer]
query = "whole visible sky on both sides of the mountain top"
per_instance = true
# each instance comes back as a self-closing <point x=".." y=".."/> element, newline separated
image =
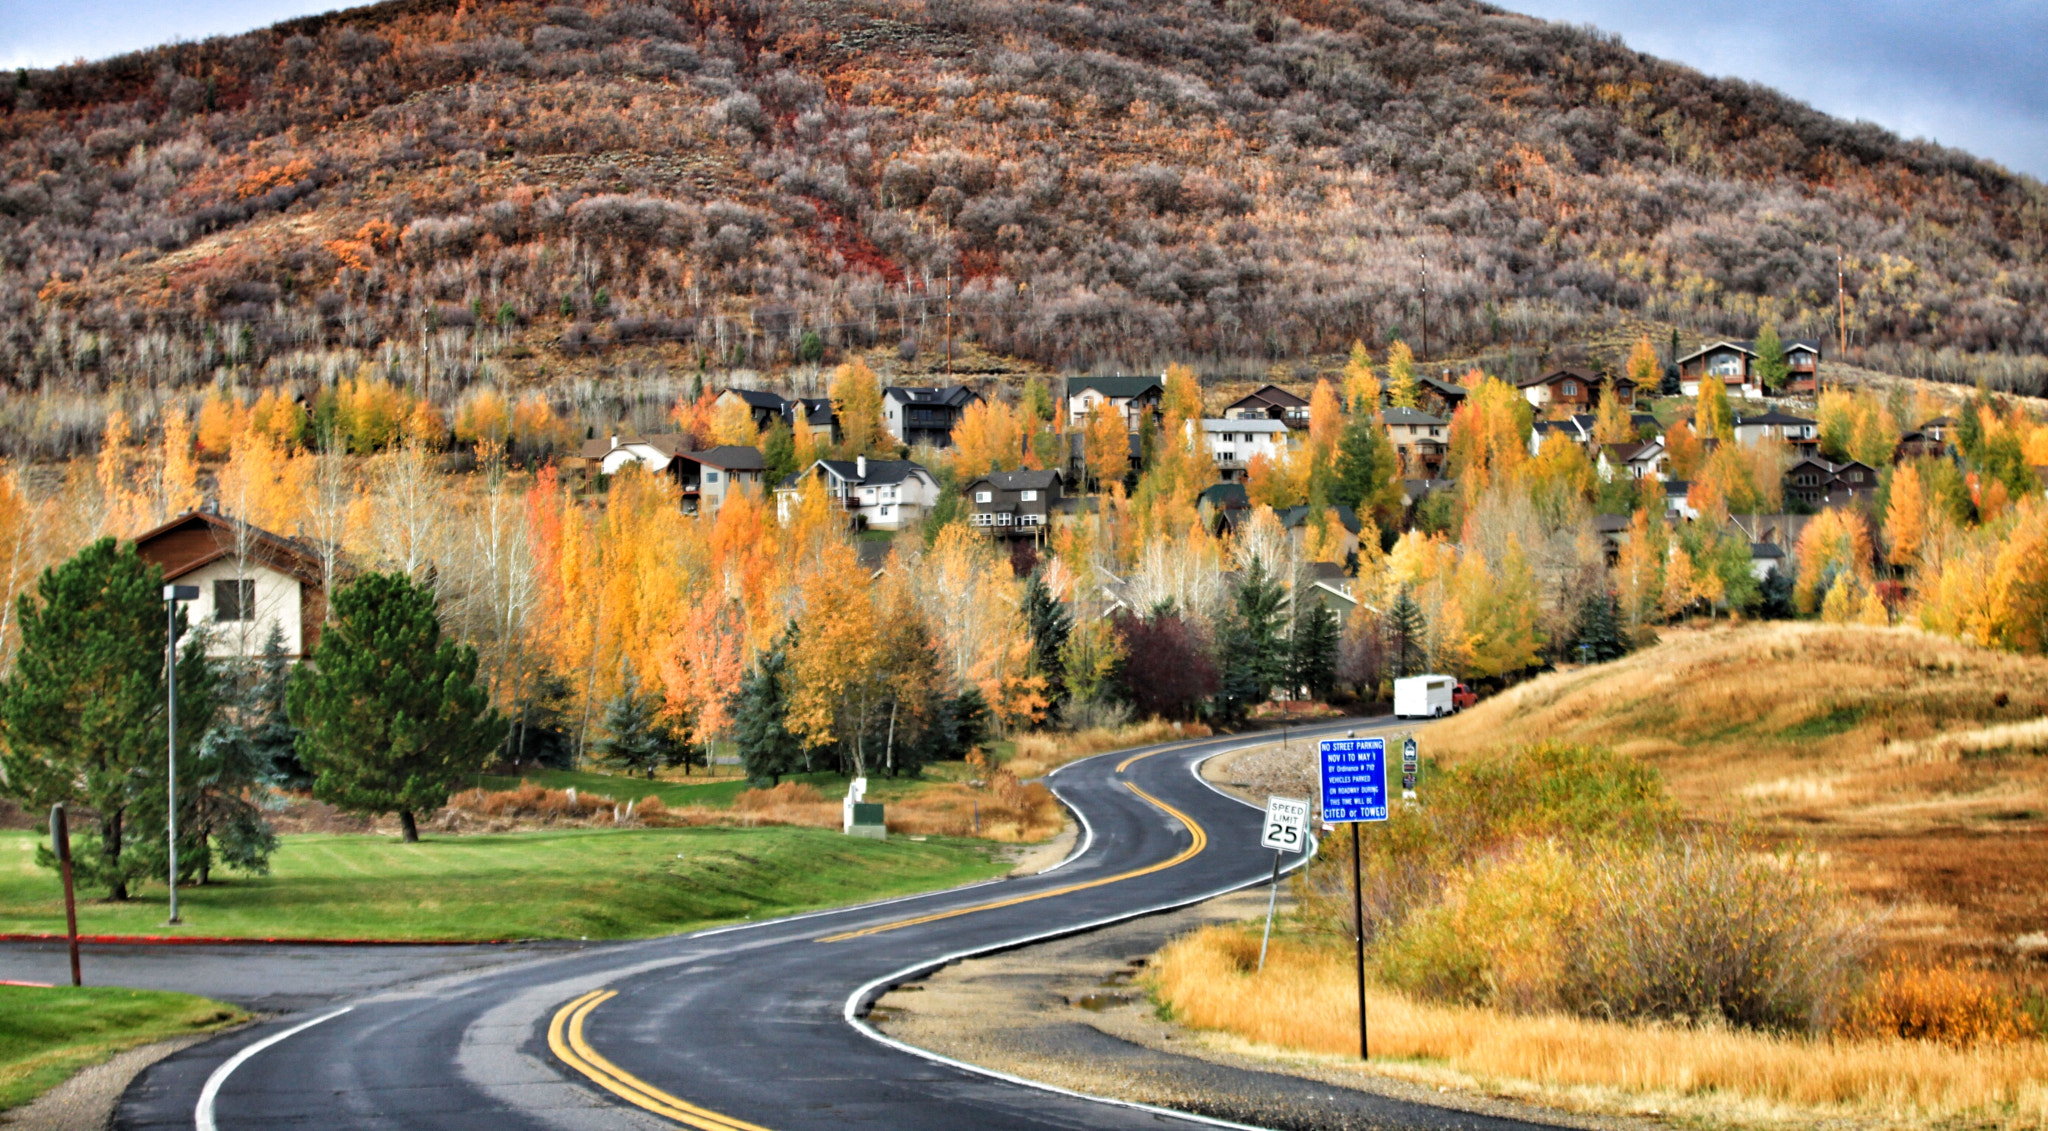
<point x="1971" y="75"/>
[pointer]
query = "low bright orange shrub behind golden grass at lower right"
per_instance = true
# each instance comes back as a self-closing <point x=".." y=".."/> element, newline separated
<point x="1936" y="1005"/>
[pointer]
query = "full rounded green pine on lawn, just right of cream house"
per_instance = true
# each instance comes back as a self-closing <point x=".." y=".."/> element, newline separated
<point x="390" y="714"/>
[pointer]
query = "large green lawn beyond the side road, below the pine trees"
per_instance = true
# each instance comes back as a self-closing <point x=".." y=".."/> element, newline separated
<point x="572" y="884"/>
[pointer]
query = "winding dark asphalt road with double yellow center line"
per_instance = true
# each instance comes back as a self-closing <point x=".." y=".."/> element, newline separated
<point x="738" y="1030"/>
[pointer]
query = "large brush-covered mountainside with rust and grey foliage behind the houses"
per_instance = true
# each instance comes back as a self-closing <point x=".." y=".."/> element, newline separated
<point x="515" y="192"/>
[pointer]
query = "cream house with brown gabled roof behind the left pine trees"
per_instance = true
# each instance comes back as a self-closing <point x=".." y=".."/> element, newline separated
<point x="249" y="581"/>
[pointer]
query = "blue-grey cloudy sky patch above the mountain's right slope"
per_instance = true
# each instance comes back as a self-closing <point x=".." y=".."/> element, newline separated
<point x="1965" y="77"/>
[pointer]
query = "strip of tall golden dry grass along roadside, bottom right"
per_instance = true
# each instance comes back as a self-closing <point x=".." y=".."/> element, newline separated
<point x="1304" y="1003"/>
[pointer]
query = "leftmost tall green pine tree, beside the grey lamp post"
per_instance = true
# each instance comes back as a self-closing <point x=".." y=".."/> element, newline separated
<point x="83" y="712"/>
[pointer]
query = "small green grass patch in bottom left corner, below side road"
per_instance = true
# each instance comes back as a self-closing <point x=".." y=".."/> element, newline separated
<point x="46" y="1036"/>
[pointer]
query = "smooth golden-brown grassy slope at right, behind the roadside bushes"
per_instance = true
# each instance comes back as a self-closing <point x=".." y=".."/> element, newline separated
<point x="1916" y="763"/>
